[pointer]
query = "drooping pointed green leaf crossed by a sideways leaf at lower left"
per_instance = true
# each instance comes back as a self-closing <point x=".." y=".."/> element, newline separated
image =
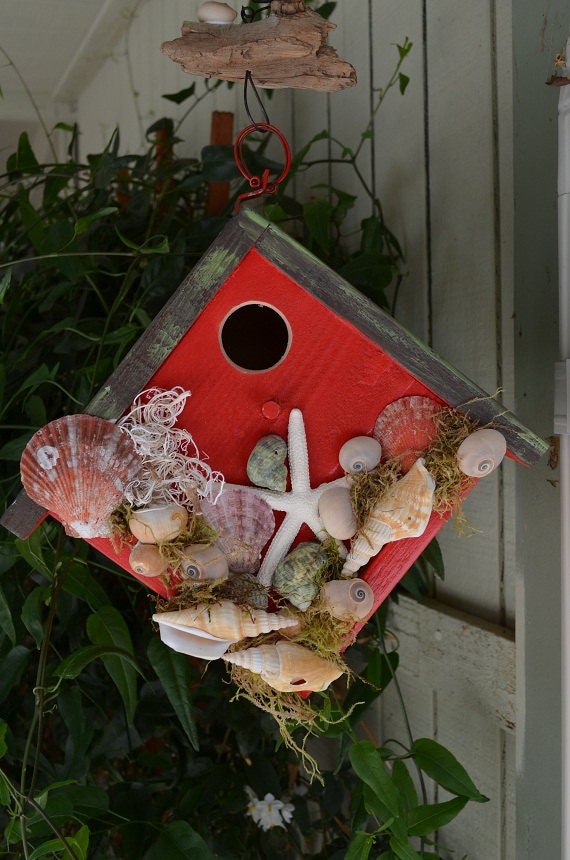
<point x="107" y="627"/>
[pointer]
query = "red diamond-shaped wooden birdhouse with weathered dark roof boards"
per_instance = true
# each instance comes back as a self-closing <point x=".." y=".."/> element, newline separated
<point x="268" y="344"/>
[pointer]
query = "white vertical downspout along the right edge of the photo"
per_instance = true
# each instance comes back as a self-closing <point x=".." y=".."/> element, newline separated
<point x="562" y="429"/>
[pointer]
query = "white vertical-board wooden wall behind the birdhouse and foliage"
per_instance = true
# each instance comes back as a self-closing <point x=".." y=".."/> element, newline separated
<point x="464" y="164"/>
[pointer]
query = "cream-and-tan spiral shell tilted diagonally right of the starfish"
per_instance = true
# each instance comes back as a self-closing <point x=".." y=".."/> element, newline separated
<point x="402" y="511"/>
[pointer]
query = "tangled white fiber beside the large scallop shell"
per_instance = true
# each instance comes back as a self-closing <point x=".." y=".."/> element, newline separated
<point x="173" y="470"/>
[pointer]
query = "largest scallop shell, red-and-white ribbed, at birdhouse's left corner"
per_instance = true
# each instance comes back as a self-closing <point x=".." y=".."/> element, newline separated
<point x="78" y="467"/>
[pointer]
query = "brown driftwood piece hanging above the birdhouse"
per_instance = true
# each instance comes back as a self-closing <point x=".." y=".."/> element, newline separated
<point x="286" y="49"/>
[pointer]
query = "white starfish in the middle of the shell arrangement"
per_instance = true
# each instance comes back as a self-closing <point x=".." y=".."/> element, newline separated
<point x="300" y="503"/>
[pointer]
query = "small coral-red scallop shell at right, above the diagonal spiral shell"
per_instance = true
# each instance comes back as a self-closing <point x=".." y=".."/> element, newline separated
<point x="405" y="428"/>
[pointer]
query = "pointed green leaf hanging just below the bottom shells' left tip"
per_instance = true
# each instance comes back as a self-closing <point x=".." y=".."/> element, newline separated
<point x="174" y="673"/>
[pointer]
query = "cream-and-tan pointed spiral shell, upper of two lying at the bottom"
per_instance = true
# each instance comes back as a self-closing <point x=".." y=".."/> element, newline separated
<point x="226" y="620"/>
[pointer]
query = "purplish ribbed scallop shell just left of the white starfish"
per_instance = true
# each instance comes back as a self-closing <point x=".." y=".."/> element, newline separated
<point x="244" y="523"/>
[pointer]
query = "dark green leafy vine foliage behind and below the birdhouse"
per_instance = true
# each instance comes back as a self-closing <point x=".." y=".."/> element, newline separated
<point x="111" y="744"/>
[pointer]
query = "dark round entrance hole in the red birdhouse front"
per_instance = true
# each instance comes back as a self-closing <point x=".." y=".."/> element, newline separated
<point x="255" y="337"/>
